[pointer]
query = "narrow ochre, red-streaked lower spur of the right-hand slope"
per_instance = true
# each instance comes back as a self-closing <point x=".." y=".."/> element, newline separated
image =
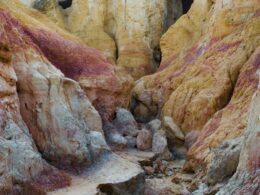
<point x="230" y="122"/>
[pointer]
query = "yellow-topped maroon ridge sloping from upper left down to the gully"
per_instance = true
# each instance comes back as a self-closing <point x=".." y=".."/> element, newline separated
<point x="106" y="86"/>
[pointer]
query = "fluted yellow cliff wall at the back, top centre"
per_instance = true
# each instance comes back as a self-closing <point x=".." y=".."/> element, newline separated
<point x="127" y="32"/>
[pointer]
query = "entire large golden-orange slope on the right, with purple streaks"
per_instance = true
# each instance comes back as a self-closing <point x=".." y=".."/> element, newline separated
<point x="208" y="74"/>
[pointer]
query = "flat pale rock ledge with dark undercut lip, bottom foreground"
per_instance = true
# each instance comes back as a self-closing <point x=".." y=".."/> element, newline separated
<point x="112" y="175"/>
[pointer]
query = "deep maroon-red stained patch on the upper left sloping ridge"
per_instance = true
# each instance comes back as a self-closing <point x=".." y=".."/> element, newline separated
<point x="73" y="59"/>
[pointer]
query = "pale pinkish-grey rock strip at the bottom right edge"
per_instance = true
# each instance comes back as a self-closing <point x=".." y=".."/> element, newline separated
<point x="247" y="177"/>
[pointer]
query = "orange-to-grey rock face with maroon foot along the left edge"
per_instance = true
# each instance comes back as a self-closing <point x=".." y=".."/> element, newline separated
<point x="21" y="166"/>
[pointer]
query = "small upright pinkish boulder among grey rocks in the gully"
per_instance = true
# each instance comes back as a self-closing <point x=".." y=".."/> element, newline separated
<point x="144" y="140"/>
